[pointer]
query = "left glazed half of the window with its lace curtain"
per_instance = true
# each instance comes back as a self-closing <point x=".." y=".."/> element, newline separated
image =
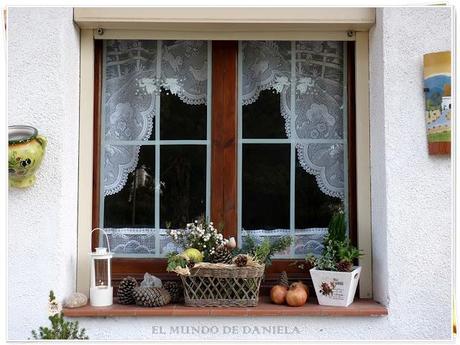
<point x="155" y="162"/>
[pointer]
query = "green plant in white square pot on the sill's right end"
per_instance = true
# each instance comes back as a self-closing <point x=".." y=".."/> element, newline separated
<point x="335" y="277"/>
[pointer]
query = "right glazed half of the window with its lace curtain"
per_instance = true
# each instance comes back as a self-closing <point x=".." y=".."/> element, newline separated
<point x="291" y="140"/>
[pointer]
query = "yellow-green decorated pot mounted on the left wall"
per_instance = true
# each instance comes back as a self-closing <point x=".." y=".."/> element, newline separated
<point x="25" y="153"/>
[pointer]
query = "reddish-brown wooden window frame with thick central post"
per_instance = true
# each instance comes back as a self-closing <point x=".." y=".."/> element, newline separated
<point x="223" y="162"/>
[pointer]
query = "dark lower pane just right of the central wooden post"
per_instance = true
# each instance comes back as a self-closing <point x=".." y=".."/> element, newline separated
<point x="266" y="176"/>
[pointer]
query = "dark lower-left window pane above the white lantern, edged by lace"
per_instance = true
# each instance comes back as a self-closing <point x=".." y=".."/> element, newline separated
<point x="134" y="205"/>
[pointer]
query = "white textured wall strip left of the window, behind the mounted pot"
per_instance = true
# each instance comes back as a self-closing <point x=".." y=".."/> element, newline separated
<point x="43" y="87"/>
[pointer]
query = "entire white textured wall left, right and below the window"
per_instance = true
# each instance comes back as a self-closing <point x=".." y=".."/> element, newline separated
<point x="411" y="192"/>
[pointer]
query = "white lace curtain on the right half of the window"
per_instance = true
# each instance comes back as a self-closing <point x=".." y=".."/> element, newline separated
<point x="314" y="72"/>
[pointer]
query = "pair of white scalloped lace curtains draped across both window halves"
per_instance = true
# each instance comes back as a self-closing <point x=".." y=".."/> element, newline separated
<point x="136" y="71"/>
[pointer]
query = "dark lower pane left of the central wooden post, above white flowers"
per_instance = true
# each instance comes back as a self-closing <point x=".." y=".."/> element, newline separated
<point x="183" y="184"/>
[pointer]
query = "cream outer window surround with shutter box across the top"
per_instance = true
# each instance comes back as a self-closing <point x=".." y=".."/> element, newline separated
<point x="257" y="23"/>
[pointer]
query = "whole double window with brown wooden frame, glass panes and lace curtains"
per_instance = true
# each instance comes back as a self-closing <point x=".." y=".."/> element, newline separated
<point x="255" y="134"/>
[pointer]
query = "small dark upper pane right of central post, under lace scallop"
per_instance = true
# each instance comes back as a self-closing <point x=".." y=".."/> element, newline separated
<point x="262" y="118"/>
